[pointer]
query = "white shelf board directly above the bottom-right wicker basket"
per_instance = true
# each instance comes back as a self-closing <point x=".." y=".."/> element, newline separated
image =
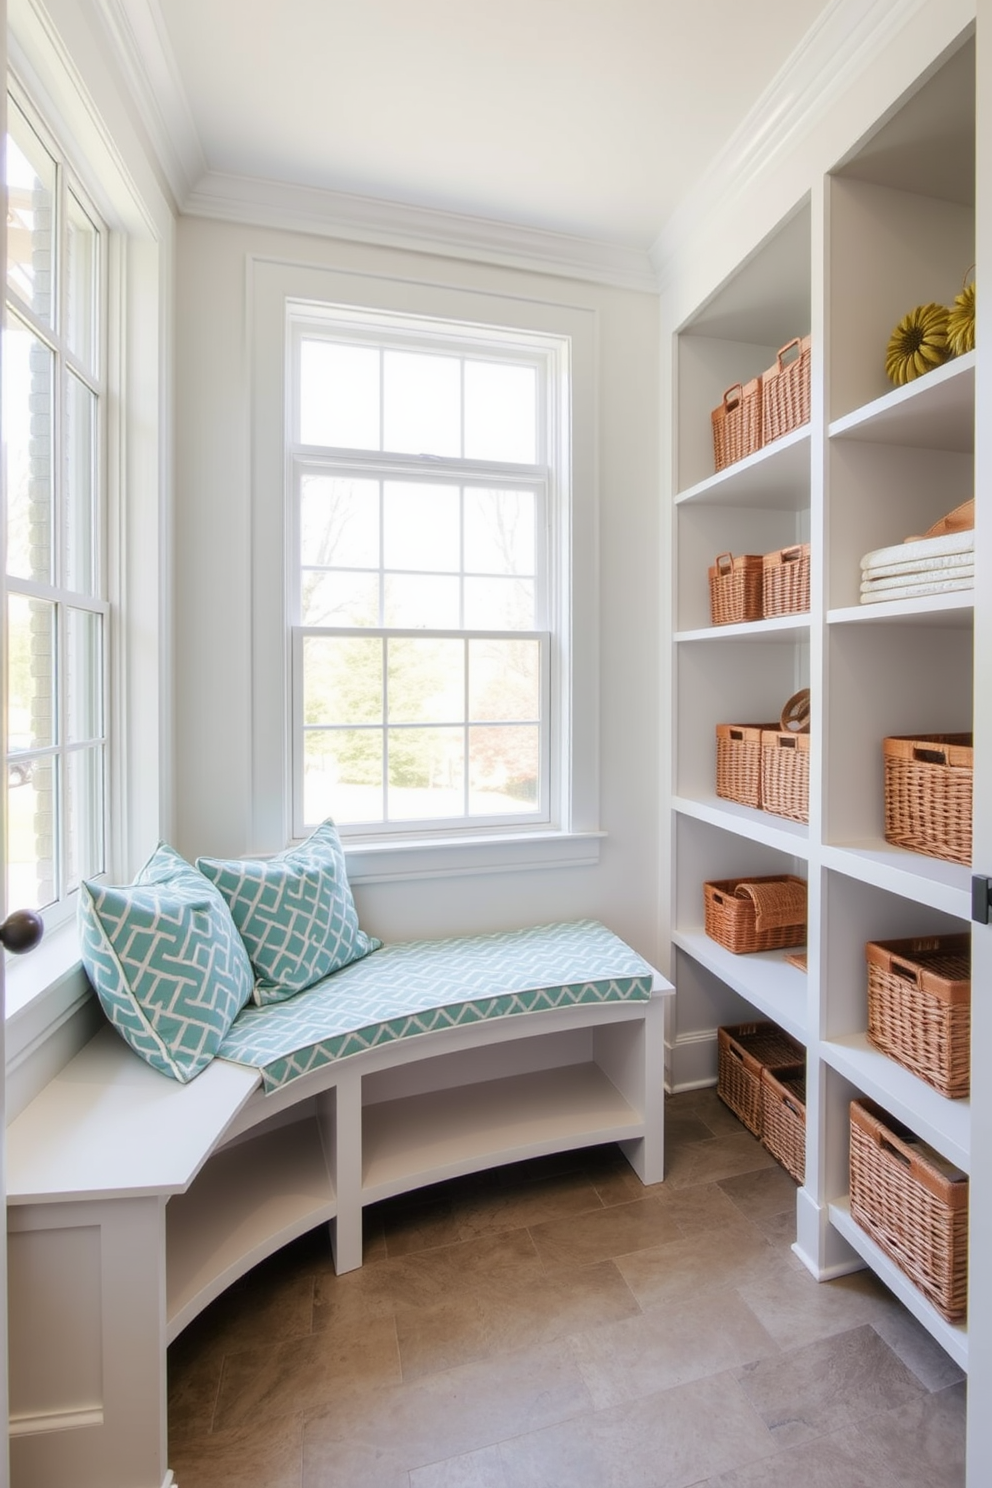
<point x="947" y="1126"/>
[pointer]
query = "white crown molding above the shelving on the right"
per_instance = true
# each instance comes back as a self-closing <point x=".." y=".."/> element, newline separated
<point x="848" y="36"/>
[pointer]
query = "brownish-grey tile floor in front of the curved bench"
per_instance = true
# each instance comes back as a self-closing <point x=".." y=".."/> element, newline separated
<point x="555" y="1325"/>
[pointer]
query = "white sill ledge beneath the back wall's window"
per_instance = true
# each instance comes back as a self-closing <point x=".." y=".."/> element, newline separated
<point x="386" y="862"/>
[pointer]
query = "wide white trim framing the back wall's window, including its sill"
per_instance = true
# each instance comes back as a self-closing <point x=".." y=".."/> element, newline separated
<point x="273" y="285"/>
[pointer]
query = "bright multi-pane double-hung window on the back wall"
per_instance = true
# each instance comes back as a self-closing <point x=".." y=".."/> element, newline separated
<point x="429" y="520"/>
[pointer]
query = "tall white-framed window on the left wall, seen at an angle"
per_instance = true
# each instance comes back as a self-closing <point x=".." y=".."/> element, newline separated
<point x="57" y="612"/>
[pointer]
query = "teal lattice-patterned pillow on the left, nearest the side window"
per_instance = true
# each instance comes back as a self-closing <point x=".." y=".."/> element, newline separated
<point x="166" y="962"/>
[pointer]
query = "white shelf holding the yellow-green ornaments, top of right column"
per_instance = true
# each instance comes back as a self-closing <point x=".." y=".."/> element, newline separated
<point x="933" y="413"/>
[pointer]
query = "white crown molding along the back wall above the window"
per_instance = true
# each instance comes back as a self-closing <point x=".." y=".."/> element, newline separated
<point x="423" y="230"/>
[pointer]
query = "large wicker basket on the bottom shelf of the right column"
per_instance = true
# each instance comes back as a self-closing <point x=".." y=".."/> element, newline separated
<point x="912" y="1205"/>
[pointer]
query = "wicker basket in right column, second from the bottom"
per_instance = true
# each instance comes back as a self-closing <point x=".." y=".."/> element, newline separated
<point x="920" y="1008"/>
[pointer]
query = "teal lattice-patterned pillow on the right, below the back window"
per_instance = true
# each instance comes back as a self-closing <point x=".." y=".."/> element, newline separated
<point x="295" y="914"/>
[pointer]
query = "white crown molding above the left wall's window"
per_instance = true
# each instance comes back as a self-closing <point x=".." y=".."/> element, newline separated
<point x="145" y="56"/>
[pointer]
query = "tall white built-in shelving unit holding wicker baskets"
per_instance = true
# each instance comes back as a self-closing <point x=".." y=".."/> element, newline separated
<point x="887" y="225"/>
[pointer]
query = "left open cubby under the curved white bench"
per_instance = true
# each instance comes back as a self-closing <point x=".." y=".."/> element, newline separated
<point x="248" y="1202"/>
